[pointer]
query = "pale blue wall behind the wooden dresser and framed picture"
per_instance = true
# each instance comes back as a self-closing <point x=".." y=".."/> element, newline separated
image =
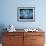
<point x="8" y="13"/>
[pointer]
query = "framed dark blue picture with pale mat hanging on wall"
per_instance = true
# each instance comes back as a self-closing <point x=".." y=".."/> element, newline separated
<point x="26" y="14"/>
